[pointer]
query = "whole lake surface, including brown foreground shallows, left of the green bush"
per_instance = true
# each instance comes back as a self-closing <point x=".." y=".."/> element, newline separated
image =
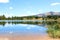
<point x="21" y="30"/>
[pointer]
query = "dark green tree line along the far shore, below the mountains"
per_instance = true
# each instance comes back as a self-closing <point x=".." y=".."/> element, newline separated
<point x="29" y="17"/>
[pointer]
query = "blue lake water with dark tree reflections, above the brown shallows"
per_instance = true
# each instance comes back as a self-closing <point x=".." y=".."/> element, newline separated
<point x="22" y="28"/>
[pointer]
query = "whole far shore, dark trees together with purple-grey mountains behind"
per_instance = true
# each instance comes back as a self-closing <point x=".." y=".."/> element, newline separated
<point x="41" y="16"/>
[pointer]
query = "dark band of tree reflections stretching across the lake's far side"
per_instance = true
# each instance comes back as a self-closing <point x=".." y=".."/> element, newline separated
<point x="30" y="22"/>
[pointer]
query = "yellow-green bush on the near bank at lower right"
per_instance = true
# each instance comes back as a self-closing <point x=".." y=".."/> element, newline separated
<point x="54" y="31"/>
